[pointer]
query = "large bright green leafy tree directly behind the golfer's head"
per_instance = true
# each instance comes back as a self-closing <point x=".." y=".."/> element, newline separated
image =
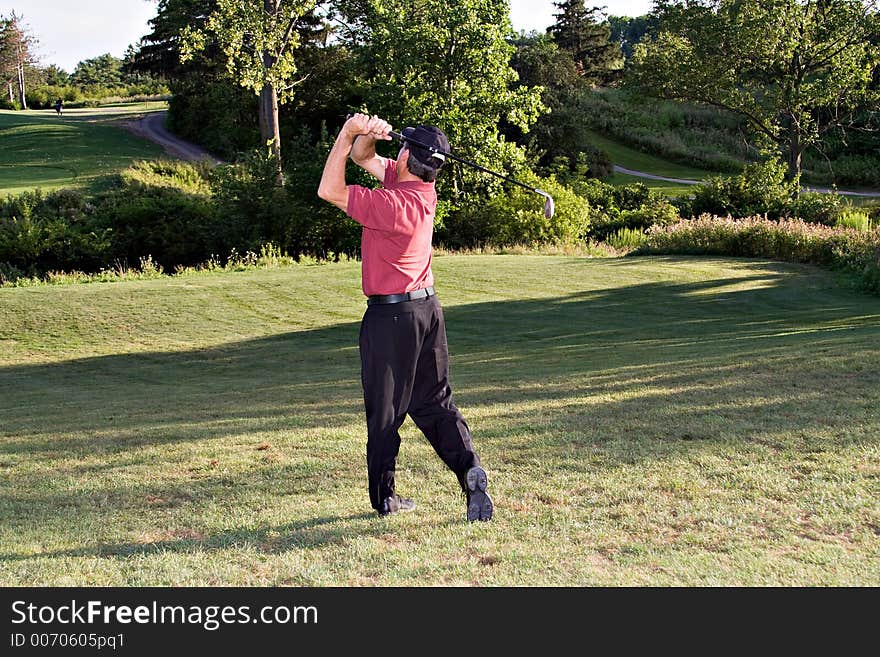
<point x="448" y="64"/>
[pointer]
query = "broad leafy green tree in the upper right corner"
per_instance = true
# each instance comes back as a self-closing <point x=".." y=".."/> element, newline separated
<point x="796" y="69"/>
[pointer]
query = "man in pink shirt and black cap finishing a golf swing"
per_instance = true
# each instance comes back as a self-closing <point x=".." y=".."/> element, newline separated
<point x="404" y="357"/>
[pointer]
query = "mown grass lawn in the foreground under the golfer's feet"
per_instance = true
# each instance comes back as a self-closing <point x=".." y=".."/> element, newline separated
<point x="644" y="421"/>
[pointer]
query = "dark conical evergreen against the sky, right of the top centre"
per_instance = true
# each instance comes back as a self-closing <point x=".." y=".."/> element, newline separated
<point x="584" y="34"/>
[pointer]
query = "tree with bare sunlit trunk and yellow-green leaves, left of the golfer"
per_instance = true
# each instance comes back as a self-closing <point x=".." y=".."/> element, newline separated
<point x="258" y="38"/>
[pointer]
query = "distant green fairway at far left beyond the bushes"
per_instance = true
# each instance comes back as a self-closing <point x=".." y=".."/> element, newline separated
<point x="43" y="150"/>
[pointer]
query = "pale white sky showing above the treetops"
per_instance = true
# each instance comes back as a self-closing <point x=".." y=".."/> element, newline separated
<point x="69" y="31"/>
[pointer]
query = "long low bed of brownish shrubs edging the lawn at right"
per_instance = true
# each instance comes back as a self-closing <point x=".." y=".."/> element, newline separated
<point x="854" y="252"/>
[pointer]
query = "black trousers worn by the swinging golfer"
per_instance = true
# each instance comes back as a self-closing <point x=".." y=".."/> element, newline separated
<point x="405" y="370"/>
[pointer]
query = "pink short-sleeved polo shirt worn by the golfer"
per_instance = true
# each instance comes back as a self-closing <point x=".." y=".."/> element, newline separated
<point x="398" y="221"/>
